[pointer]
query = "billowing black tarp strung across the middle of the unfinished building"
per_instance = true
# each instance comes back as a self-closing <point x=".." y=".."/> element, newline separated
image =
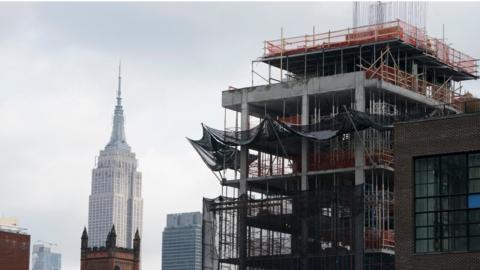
<point x="217" y="147"/>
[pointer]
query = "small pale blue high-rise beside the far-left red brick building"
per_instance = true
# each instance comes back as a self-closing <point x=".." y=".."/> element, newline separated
<point x="44" y="259"/>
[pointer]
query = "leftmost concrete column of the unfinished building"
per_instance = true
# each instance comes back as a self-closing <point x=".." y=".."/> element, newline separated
<point x="242" y="192"/>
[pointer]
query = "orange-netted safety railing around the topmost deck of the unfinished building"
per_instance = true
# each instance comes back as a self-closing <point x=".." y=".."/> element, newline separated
<point x="369" y="34"/>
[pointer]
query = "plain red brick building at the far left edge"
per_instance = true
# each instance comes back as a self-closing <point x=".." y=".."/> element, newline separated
<point x="14" y="250"/>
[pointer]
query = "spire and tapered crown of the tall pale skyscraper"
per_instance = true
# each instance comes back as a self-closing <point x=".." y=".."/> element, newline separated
<point x="117" y="139"/>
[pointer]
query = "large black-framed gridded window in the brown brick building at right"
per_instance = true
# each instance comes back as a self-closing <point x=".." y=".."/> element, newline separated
<point x="447" y="203"/>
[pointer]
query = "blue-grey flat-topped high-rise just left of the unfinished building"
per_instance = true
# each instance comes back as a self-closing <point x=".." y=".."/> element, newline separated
<point x="182" y="242"/>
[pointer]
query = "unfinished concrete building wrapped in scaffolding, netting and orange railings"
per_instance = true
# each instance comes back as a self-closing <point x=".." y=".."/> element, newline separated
<point x="307" y="170"/>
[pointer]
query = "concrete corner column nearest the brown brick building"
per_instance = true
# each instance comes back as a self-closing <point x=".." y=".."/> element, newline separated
<point x="358" y="217"/>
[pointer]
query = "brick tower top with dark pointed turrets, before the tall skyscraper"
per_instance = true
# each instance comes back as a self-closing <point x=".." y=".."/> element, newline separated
<point x="110" y="257"/>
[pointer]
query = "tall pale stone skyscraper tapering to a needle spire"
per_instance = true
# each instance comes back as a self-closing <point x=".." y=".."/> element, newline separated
<point x="116" y="197"/>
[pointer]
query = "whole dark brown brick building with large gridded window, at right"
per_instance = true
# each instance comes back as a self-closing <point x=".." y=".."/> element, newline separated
<point x="437" y="193"/>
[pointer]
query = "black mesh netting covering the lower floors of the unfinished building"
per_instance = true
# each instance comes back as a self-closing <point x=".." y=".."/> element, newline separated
<point x="274" y="230"/>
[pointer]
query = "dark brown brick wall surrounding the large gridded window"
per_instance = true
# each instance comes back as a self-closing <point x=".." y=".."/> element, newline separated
<point x="423" y="138"/>
